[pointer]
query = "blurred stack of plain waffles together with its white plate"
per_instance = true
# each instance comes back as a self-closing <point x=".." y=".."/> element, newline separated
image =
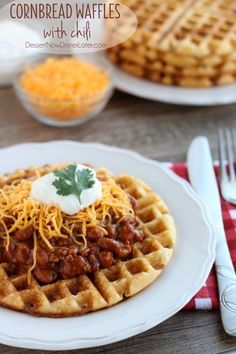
<point x="182" y="52"/>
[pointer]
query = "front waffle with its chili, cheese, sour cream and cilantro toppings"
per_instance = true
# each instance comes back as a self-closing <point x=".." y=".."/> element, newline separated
<point x="95" y="254"/>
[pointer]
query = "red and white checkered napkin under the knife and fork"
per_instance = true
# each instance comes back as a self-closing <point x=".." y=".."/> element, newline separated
<point x="207" y="297"/>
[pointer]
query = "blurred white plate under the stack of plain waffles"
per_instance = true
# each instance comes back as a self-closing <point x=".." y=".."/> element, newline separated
<point x="171" y="94"/>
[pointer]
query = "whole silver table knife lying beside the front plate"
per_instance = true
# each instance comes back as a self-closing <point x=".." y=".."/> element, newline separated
<point x="203" y="180"/>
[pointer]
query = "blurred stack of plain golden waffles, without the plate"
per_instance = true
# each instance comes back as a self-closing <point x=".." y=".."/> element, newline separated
<point x="188" y="43"/>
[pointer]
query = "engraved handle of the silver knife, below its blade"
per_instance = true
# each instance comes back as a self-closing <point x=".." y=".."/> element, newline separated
<point x="226" y="279"/>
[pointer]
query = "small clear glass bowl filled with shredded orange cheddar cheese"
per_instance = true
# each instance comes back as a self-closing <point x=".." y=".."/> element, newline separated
<point x="64" y="91"/>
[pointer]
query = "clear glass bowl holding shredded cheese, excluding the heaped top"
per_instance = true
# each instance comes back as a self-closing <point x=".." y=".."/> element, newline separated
<point x="65" y="113"/>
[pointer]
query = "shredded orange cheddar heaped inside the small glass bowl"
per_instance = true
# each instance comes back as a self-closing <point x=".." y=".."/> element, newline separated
<point x="64" y="88"/>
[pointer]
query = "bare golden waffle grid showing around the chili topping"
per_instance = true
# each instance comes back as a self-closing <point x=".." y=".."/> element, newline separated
<point x="108" y="286"/>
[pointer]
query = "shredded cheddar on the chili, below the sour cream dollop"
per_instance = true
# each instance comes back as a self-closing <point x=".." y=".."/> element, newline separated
<point x="49" y="221"/>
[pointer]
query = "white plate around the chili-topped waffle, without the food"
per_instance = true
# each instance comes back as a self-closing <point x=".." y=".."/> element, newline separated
<point x="183" y="277"/>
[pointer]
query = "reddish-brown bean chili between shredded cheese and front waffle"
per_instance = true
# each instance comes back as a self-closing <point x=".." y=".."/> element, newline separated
<point x="67" y="259"/>
